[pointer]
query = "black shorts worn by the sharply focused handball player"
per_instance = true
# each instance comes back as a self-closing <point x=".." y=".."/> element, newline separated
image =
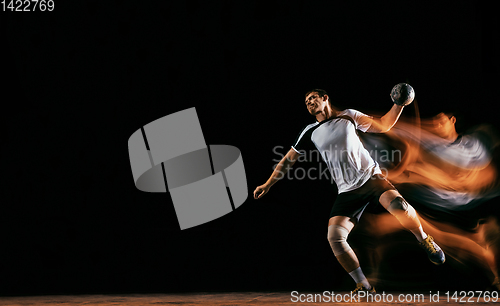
<point x="353" y="203"/>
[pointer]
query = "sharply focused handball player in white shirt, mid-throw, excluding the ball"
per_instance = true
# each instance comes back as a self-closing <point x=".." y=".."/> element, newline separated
<point x="357" y="175"/>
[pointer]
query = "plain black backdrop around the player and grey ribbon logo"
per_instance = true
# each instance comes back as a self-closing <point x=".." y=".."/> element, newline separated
<point x="78" y="81"/>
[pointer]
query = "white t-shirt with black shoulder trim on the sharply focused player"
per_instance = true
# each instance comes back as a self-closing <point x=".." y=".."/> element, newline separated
<point x="350" y="164"/>
